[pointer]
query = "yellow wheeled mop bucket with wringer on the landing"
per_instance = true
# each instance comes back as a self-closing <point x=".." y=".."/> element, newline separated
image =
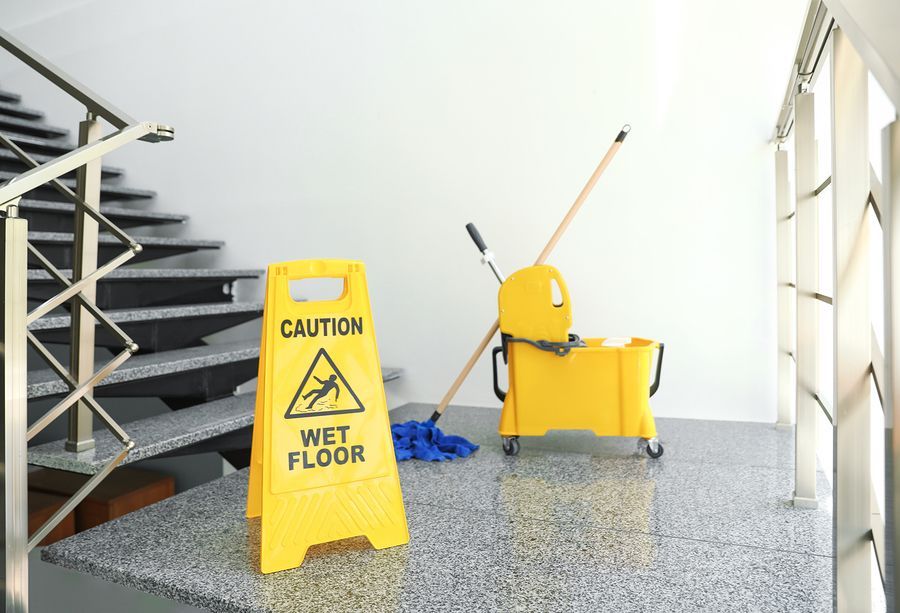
<point x="558" y="381"/>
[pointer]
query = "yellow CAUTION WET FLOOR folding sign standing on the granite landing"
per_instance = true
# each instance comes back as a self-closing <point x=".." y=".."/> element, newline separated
<point x="322" y="465"/>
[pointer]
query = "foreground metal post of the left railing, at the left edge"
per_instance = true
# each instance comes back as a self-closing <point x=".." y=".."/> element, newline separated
<point x="14" y="471"/>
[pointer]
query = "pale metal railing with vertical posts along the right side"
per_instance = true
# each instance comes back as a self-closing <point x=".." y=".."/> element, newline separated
<point x="859" y="38"/>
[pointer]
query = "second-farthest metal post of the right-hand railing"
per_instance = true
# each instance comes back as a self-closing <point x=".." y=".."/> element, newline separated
<point x="807" y="347"/>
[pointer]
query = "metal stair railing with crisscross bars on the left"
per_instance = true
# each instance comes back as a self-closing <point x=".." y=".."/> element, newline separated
<point x="15" y="246"/>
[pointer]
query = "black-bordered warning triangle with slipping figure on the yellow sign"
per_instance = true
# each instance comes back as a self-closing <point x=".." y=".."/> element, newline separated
<point x="323" y="391"/>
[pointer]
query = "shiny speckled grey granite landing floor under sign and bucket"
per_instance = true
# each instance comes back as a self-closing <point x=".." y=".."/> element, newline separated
<point x="573" y="523"/>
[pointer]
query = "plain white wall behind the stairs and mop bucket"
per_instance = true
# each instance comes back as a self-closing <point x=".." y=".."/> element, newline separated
<point x="376" y="130"/>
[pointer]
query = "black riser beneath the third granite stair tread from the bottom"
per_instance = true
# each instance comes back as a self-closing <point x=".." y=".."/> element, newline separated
<point x="152" y="336"/>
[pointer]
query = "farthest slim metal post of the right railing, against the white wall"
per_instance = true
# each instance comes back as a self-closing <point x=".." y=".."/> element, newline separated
<point x="786" y="286"/>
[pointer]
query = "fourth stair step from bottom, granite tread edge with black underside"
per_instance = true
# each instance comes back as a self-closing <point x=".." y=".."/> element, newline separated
<point x="145" y="287"/>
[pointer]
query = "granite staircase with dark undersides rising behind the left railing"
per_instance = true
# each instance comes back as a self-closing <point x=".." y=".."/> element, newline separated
<point x="168" y="312"/>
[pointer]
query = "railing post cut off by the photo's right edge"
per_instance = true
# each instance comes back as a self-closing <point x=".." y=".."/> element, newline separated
<point x="890" y="219"/>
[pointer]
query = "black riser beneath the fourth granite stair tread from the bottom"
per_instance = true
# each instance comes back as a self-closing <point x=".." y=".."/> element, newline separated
<point x="147" y="292"/>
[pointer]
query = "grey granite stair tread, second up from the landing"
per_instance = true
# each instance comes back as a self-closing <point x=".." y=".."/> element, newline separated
<point x="44" y="382"/>
